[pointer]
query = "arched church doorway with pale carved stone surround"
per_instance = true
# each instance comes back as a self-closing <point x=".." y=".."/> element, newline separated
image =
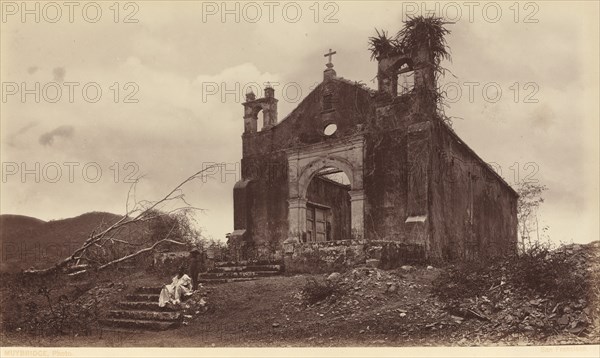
<point x="313" y="170"/>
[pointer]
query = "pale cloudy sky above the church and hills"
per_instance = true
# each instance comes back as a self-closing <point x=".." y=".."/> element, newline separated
<point x="95" y="95"/>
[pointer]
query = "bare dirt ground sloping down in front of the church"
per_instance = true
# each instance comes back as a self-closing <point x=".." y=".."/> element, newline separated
<point x="376" y="308"/>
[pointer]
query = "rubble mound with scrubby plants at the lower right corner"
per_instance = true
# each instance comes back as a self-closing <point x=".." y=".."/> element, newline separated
<point x="563" y="301"/>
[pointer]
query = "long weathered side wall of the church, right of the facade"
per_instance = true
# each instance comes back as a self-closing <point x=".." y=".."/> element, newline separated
<point x="473" y="212"/>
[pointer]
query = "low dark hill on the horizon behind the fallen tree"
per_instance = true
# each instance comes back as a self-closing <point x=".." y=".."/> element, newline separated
<point x="29" y="242"/>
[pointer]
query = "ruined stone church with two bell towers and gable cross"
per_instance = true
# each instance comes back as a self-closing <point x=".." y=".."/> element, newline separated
<point x="358" y="174"/>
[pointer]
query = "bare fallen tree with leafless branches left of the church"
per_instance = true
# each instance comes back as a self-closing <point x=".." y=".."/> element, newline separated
<point x="140" y="211"/>
